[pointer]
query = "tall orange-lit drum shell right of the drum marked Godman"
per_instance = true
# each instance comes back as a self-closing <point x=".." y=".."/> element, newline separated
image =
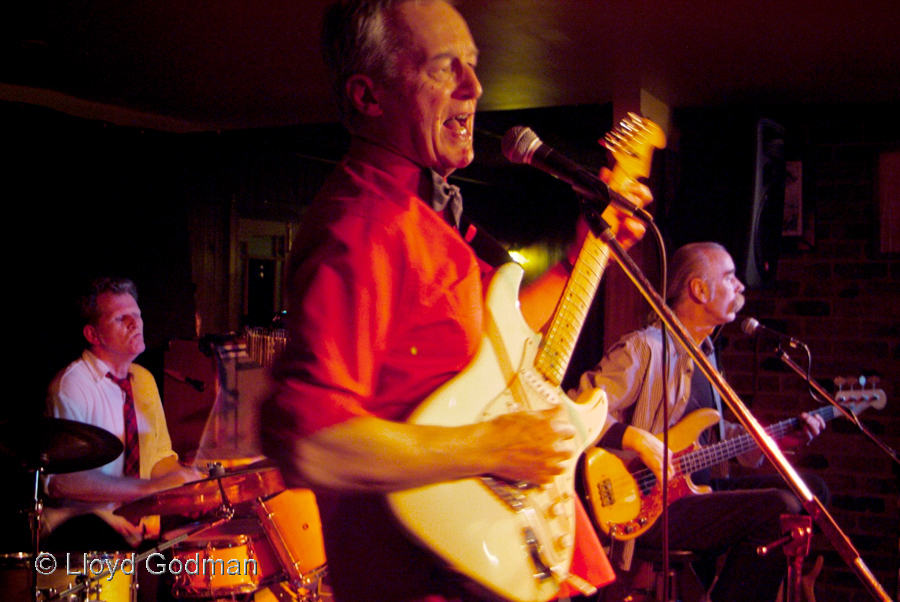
<point x="291" y="522"/>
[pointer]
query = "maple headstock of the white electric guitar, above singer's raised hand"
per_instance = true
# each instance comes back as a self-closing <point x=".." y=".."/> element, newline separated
<point x="631" y="144"/>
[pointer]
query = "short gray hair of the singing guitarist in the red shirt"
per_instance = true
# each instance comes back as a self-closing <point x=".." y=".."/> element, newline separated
<point x="360" y="37"/>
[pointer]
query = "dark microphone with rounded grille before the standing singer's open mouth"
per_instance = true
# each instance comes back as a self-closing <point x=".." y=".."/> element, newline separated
<point x="521" y="145"/>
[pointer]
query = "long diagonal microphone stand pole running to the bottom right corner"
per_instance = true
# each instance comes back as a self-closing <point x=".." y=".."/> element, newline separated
<point x="768" y="446"/>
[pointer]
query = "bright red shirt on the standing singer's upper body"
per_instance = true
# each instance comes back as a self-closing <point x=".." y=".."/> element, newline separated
<point x="385" y="298"/>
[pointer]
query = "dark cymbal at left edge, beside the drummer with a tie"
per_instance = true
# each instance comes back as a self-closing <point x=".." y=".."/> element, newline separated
<point x="56" y="445"/>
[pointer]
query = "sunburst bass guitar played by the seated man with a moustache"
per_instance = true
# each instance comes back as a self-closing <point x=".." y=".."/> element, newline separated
<point x="625" y="497"/>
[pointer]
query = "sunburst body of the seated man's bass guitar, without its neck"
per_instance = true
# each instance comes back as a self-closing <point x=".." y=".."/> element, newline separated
<point x="625" y="499"/>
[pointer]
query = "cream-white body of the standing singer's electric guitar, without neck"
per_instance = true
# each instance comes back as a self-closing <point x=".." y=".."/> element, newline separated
<point x="516" y="543"/>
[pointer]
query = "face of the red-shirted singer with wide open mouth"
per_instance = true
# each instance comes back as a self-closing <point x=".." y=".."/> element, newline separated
<point x="429" y="110"/>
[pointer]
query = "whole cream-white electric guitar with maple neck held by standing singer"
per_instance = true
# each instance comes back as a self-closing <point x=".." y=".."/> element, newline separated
<point x="513" y="540"/>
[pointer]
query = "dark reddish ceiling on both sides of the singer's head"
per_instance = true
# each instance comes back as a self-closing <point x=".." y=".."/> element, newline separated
<point x="223" y="64"/>
